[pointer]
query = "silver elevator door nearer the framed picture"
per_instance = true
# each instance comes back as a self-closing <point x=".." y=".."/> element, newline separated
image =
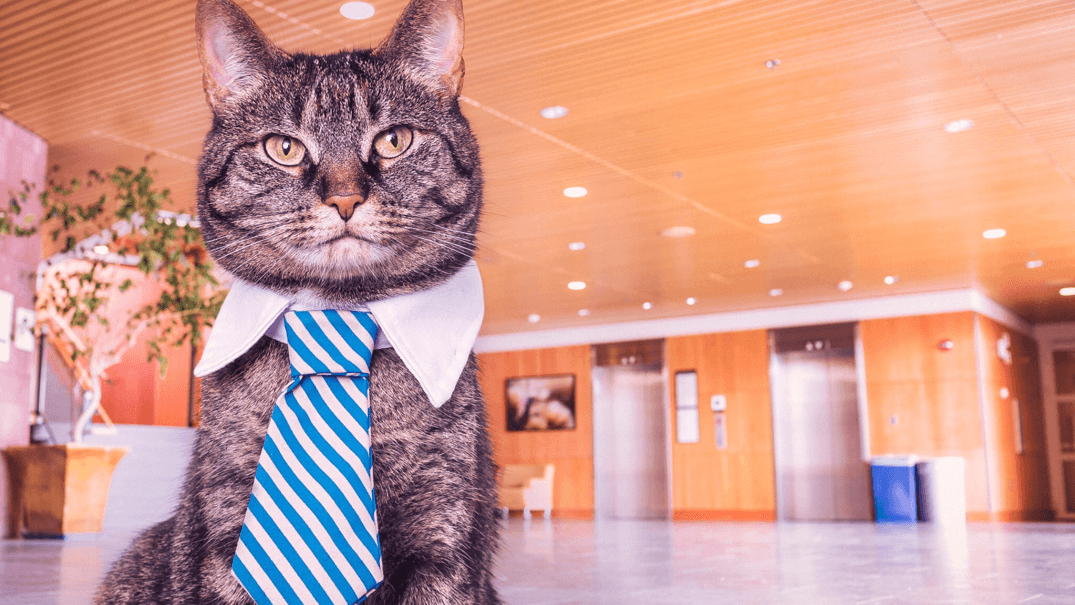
<point x="630" y="449"/>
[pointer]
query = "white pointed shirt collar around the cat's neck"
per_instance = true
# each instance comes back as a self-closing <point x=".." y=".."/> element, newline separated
<point x="434" y="332"/>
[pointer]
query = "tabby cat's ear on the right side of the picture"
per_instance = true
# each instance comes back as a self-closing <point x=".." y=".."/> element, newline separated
<point x="428" y="39"/>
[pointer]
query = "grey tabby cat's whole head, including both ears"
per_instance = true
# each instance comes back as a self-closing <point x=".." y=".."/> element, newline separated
<point x="352" y="176"/>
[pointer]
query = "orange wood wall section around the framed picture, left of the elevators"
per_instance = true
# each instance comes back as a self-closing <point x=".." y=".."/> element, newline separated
<point x="571" y="452"/>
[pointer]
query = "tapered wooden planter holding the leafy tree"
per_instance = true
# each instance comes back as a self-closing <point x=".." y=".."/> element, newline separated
<point x="61" y="489"/>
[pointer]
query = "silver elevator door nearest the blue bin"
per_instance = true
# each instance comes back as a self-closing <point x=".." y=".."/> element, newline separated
<point x="820" y="467"/>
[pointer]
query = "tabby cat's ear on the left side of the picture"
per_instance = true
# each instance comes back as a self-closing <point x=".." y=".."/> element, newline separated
<point x="235" y="54"/>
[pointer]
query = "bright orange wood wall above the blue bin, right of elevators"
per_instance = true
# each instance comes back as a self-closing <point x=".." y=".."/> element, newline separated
<point x="924" y="400"/>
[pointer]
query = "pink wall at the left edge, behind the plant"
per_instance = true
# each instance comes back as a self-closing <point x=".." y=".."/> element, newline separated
<point x="23" y="157"/>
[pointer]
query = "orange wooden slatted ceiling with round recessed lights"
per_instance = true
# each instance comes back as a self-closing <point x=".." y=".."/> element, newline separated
<point x="845" y="139"/>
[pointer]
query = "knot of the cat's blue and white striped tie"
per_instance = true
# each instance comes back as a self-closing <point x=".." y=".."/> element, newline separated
<point x="331" y="342"/>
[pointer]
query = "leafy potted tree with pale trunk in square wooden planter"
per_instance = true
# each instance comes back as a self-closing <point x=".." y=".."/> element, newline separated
<point x="104" y="224"/>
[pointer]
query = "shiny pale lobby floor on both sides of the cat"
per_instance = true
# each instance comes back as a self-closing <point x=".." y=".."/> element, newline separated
<point x="581" y="563"/>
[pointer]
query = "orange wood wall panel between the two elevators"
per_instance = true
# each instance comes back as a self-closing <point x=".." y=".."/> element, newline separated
<point x="737" y="483"/>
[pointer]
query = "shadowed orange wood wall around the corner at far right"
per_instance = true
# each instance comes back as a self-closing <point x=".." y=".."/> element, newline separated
<point x="1020" y="480"/>
